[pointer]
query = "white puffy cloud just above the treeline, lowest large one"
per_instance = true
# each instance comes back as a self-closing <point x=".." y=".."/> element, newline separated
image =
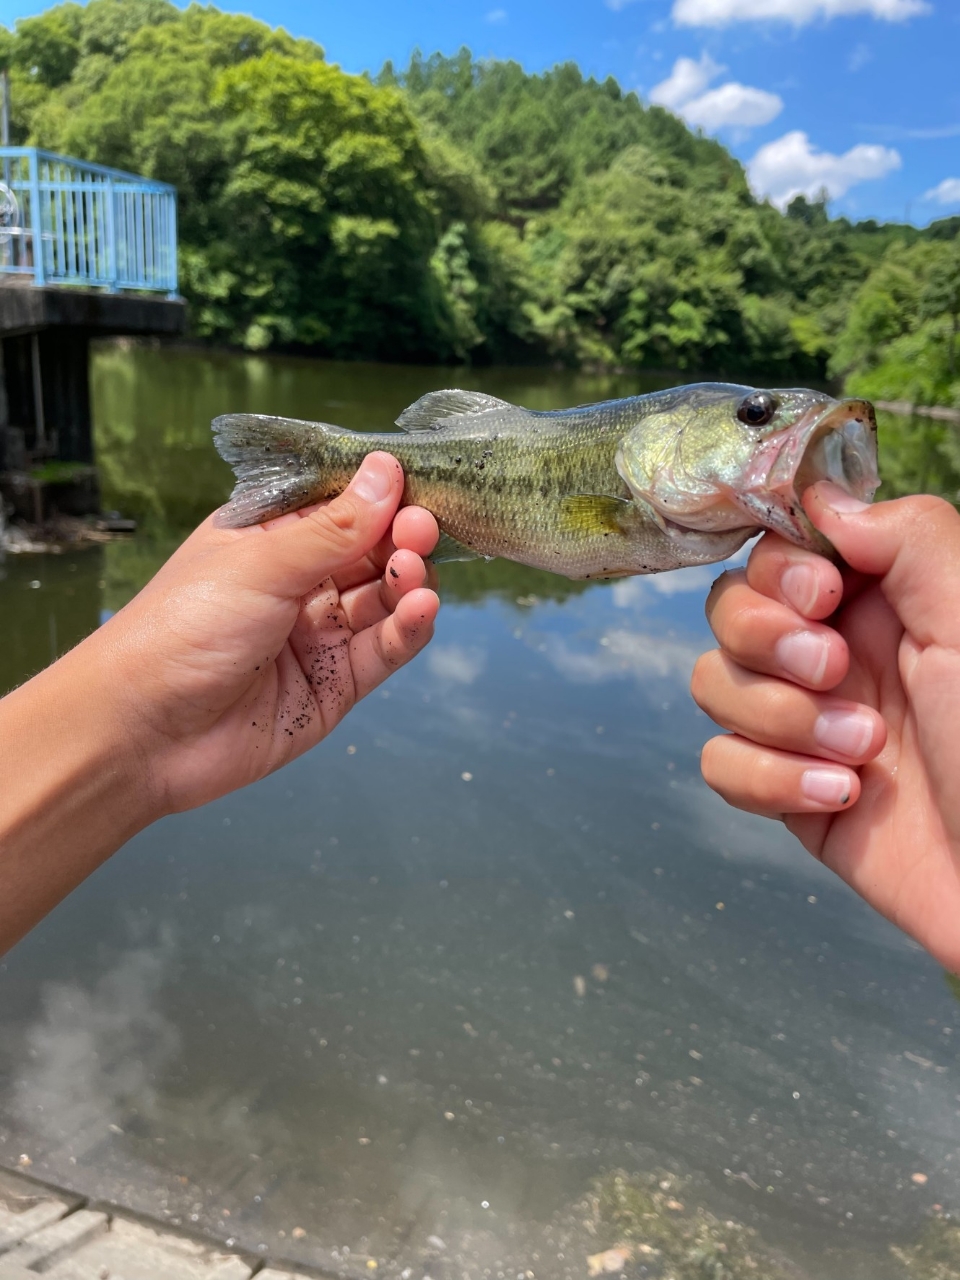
<point x="792" y="167"/>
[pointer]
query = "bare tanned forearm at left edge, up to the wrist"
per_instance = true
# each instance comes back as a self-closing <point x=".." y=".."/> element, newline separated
<point x="72" y="784"/>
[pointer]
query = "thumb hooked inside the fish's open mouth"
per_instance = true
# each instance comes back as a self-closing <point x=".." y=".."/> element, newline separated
<point x="913" y="545"/>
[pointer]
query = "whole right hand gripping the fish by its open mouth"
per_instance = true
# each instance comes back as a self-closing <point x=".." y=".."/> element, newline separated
<point x="843" y="697"/>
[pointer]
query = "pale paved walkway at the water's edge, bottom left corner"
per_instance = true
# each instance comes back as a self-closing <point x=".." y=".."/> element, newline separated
<point x="49" y="1232"/>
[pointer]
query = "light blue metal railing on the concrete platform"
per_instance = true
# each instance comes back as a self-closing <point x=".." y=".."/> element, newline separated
<point x="67" y="222"/>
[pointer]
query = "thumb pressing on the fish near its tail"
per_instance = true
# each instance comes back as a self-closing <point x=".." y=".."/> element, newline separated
<point x="298" y="554"/>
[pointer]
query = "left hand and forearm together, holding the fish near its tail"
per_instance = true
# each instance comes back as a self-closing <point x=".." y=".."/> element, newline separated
<point x="245" y="651"/>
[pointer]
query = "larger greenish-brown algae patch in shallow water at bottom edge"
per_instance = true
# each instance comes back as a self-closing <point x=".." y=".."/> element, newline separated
<point x="647" y="1219"/>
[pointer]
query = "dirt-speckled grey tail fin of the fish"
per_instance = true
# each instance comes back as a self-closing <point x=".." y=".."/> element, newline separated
<point x="269" y="459"/>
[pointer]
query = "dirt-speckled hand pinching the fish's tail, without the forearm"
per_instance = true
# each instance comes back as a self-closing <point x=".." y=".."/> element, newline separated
<point x="250" y="646"/>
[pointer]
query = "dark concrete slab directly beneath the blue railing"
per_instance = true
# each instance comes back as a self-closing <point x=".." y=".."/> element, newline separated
<point x="25" y="309"/>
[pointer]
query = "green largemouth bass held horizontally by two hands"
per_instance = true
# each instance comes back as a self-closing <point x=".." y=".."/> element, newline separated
<point x="636" y="486"/>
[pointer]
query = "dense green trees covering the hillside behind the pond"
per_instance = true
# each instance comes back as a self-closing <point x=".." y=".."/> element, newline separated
<point x="467" y="211"/>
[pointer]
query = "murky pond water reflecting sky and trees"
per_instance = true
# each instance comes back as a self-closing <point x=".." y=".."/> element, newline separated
<point x="404" y="1004"/>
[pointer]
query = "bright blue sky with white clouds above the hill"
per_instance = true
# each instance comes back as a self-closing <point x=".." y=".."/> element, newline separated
<point x="858" y="97"/>
